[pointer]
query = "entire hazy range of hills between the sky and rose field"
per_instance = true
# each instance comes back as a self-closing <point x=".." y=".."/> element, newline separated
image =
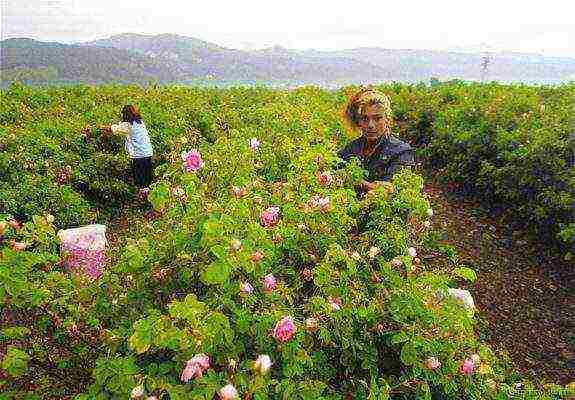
<point x="172" y="58"/>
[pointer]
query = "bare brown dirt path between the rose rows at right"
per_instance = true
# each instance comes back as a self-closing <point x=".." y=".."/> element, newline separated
<point x="526" y="302"/>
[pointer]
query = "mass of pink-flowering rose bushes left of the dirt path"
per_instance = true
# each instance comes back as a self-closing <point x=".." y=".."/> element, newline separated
<point x="183" y="309"/>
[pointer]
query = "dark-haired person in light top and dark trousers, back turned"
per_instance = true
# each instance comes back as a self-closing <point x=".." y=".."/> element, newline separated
<point x="138" y="147"/>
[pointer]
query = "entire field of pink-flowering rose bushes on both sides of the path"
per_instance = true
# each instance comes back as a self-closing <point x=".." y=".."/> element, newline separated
<point x="262" y="275"/>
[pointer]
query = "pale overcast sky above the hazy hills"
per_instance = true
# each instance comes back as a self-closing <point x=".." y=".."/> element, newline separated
<point x="544" y="27"/>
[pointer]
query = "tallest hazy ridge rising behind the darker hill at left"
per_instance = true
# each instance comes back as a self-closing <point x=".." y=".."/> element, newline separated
<point x="201" y="59"/>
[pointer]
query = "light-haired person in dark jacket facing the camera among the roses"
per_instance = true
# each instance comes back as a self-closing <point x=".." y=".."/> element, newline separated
<point x="379" y="152"/>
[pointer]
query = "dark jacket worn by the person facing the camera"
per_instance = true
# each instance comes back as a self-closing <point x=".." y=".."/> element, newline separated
<point x="389" y="156"/>
